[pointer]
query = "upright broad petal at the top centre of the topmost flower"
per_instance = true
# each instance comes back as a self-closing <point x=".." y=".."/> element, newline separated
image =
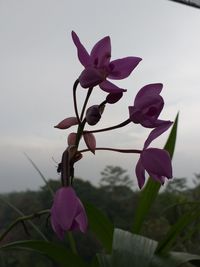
<point x="101" y="52"/>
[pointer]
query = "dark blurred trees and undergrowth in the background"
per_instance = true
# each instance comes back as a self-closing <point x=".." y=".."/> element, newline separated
<point x="118" y="204"/>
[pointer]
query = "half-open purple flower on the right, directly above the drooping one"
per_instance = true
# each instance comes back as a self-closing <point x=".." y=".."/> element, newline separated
<point x="147" y="106"/>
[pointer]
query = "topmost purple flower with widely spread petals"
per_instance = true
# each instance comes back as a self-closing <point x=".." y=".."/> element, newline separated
<point x="98" y="66"/>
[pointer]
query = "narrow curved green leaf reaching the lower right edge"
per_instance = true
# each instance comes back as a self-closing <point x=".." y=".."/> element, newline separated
<point x="187" y="218"/>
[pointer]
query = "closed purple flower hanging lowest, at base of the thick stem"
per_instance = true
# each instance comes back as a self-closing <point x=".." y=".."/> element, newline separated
<point x="67" y="212"/>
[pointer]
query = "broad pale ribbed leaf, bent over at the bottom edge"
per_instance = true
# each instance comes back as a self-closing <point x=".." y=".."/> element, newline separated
<point x="134" y="250"/>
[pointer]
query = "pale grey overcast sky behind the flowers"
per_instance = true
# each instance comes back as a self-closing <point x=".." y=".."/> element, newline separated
<point x="39" y="65"/>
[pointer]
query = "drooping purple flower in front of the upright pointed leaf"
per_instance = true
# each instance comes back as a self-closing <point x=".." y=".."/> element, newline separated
<point x="155" y="161"/>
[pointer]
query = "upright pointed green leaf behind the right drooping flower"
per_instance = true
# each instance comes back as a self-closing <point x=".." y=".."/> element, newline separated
<point x="151" y="189"/>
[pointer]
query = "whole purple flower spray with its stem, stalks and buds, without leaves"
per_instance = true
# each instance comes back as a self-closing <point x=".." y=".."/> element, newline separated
<point x="68" y="212"/>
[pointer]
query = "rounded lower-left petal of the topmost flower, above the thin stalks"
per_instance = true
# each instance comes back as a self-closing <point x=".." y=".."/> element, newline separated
<point x="90" y="77"/>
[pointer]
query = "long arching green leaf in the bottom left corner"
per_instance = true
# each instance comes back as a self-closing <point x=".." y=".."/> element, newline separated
<point x="54" y="251"/>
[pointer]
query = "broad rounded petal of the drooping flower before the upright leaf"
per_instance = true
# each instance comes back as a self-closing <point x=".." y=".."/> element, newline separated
<point x="157" y="161"/>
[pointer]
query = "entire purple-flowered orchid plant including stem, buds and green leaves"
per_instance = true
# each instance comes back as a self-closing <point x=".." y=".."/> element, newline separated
<point x="68" y="214"/>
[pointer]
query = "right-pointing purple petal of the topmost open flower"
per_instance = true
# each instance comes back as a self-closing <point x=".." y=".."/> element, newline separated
<point x="122" y="68"/>
